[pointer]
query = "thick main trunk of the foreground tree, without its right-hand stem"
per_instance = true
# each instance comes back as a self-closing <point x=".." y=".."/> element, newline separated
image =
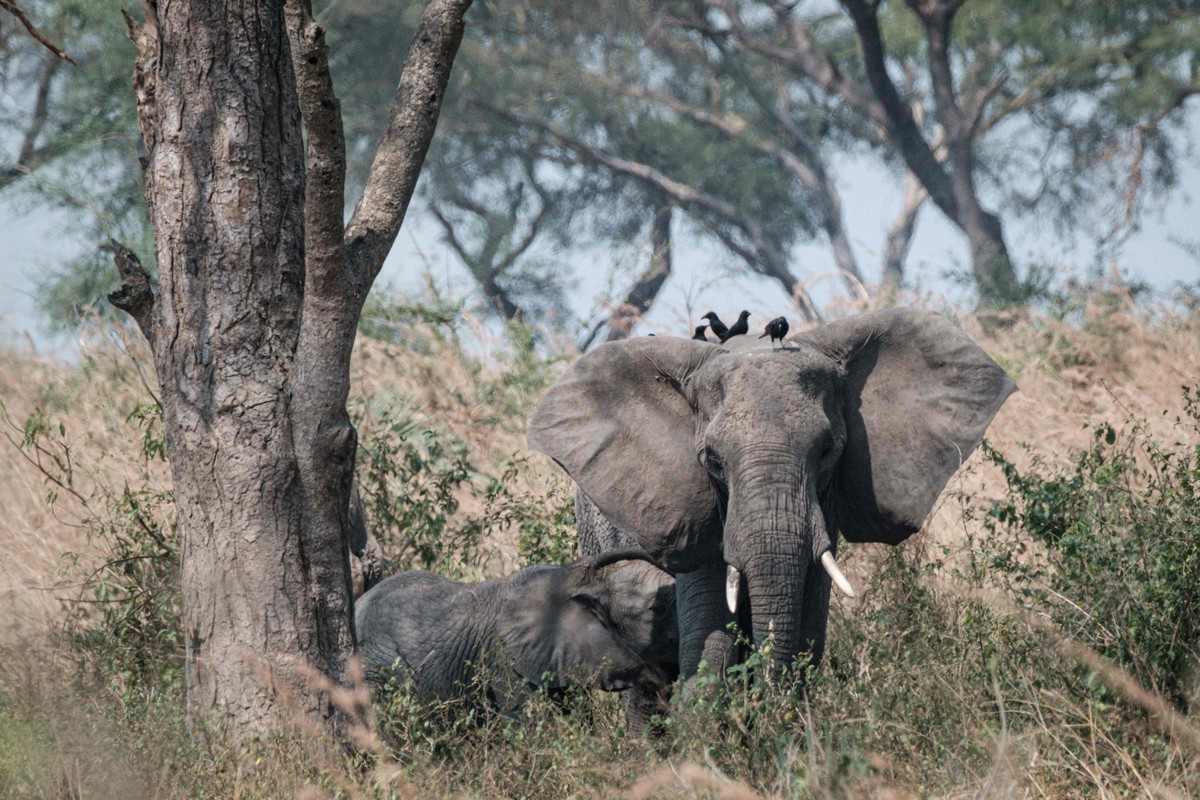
<point x="225" y="185"/>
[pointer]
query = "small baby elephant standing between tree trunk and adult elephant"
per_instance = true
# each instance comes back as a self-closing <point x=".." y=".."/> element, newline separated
<point x="605" y="621"/>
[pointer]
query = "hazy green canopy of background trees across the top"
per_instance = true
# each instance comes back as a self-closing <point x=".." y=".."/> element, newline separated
<point x="569" y="131"/>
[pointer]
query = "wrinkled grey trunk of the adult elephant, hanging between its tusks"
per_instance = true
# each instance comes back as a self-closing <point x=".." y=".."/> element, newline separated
<point x="773" y="533"/>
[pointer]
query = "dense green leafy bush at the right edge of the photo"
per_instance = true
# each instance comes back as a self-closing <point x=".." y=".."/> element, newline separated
<point x="1121" y="534"/>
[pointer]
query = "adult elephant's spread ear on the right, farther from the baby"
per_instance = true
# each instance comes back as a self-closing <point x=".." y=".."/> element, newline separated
<point x="920" y="395"/>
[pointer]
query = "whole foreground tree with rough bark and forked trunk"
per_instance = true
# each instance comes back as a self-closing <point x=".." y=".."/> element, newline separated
<point x="251" y="324"/>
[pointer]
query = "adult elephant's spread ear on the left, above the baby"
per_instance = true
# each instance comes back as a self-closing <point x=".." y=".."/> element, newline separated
<point x="620" y="425"/>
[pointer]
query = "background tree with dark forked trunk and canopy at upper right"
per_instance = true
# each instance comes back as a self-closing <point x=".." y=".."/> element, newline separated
<point x="1071" y="80"/>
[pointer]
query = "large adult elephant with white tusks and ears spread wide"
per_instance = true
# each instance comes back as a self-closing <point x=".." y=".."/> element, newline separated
<point x="736" y="466"/>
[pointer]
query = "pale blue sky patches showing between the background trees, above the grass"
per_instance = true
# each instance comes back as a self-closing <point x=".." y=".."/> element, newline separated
<point x="35" y="245"/>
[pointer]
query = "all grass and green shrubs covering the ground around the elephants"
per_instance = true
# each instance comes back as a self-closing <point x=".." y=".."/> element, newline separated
<point x="1037" y="640"/>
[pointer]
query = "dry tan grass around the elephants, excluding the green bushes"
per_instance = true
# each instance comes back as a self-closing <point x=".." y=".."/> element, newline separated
<point x="884" y="725"/>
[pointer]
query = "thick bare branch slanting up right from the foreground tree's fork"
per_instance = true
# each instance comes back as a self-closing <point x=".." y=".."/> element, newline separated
<point x="415" y="116"/>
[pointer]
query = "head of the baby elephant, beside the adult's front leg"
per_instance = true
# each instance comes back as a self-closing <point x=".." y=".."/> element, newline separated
<point x="598" y="621"/>
